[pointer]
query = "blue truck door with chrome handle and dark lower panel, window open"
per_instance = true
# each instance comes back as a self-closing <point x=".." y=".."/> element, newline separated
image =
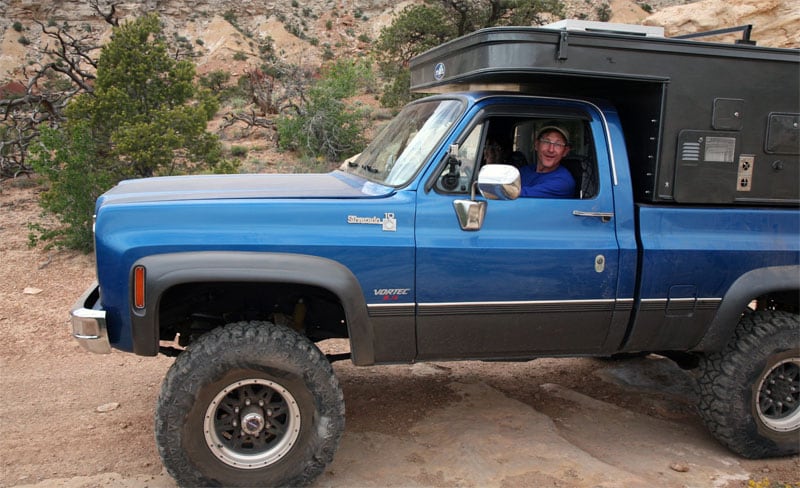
<point x="540" y="276"/>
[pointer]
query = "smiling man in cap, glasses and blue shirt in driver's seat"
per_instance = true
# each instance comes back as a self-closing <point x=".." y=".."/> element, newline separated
<point x="547" y="178"/>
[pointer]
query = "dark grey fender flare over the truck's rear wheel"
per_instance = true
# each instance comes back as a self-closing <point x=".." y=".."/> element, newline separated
<point x="746" y="288"/>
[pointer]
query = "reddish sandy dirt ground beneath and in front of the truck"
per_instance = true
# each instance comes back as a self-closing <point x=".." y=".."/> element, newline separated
<point x="74" y="419"/>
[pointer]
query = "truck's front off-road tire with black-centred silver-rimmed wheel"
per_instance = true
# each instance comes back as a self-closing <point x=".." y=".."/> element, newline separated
<point x="234" y="363"/>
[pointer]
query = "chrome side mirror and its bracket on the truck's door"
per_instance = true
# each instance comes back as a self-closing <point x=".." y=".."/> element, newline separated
<point x="495" y="182"/>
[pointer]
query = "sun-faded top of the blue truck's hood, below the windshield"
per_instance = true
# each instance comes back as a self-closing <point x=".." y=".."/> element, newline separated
<point x="208" y="187"/>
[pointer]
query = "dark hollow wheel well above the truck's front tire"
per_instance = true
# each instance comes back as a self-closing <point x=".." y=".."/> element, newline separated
<point x="187" y="311"/>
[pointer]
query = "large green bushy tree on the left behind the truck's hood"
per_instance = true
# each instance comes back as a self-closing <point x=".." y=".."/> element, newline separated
<point x="145" y="117"/>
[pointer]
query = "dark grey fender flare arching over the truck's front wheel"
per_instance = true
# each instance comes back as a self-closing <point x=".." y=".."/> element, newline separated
<point x="164" y="271"/>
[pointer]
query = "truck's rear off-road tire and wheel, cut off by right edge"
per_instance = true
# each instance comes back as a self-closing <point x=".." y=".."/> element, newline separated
<point x="739" y="388"/>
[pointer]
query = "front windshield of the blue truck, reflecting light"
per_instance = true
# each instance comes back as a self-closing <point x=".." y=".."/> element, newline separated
<point x="403" y="146"/>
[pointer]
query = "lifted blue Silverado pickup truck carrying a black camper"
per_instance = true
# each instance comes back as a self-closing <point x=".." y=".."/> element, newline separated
<point x="680" y="237"/>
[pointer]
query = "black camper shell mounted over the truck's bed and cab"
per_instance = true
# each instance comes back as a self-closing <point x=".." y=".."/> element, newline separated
<point x="705" y="123"/>
